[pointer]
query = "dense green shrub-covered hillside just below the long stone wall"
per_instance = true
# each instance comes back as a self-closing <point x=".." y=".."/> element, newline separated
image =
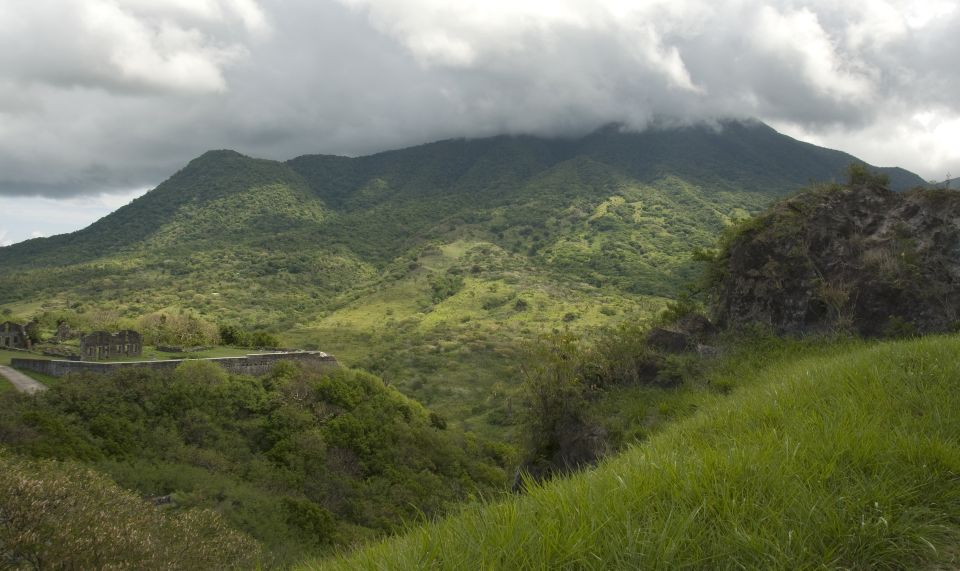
<point x="298" y="460"/>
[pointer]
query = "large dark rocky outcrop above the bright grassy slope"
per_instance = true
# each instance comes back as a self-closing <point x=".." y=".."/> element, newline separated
<point x="865" y="259"/>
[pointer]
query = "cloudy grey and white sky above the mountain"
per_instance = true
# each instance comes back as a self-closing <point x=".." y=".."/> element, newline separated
<point x="101" y="100"/>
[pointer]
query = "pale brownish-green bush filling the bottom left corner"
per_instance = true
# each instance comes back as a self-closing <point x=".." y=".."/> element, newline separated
<point x="61" y="516"/>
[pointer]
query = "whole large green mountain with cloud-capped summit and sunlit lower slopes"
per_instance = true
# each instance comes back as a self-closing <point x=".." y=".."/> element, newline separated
<point x="428" y="265"/>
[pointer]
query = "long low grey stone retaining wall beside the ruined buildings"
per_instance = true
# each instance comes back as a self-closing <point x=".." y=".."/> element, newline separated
<point x="254" y="364"/>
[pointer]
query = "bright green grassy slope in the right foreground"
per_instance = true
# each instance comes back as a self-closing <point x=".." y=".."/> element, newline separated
<point x="845" y="460"/>
